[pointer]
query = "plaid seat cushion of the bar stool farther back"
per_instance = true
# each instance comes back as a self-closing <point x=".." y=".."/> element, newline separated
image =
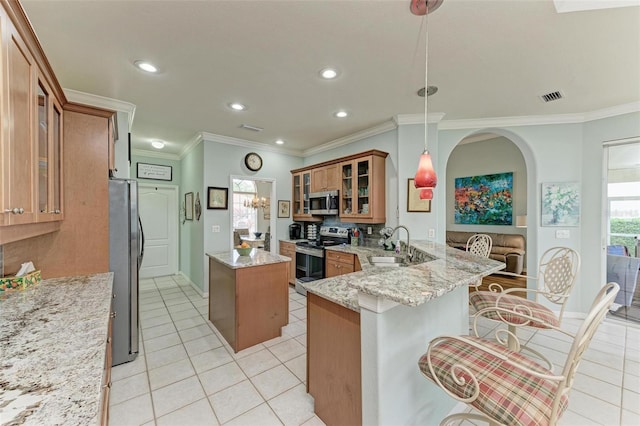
<point x="488" y="299"/>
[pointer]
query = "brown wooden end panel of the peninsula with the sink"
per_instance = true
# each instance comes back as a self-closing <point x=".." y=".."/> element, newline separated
<point x="334" y="361"/>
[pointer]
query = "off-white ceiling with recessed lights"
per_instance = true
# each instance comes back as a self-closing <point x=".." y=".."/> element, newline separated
<point x="488" y="58"/>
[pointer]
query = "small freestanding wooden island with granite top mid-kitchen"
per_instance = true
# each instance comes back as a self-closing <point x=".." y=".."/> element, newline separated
<point x="248" y="296"/>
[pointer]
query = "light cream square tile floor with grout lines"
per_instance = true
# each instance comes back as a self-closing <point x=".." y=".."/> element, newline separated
<point x="187" y="374"/>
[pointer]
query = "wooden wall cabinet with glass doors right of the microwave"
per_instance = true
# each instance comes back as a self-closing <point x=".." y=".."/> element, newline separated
<point x="362" y="189"/>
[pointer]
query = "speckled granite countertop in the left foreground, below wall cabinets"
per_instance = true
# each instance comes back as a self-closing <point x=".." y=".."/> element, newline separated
<point x="53" y="340"/>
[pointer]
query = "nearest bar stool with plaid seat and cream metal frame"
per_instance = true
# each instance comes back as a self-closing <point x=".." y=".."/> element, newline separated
<point x="506" y="387"/>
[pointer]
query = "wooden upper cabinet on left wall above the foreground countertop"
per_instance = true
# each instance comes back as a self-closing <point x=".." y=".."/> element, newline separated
<point x="31" y="139"/>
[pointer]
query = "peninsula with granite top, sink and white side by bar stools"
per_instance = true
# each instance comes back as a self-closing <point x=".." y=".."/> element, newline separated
<point x="381" y="320"/>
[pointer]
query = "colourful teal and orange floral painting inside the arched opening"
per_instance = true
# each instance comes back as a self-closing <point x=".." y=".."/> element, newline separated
<point x="484" y="200"/>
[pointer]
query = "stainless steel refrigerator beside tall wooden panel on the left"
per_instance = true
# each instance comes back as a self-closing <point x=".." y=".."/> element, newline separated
<point x="126" y="249"/>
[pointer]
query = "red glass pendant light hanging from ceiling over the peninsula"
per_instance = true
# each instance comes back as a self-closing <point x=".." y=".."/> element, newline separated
<point x="425" y="179"/>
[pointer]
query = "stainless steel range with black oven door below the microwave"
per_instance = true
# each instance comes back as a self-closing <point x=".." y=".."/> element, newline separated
<point x="310" y="254"/>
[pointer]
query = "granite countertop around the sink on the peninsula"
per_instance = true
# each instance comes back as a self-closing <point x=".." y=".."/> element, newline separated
<point x="437" y="270"/>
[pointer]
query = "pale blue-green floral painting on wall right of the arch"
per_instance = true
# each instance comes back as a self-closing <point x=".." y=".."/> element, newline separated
<point x="561" y="204"/>
